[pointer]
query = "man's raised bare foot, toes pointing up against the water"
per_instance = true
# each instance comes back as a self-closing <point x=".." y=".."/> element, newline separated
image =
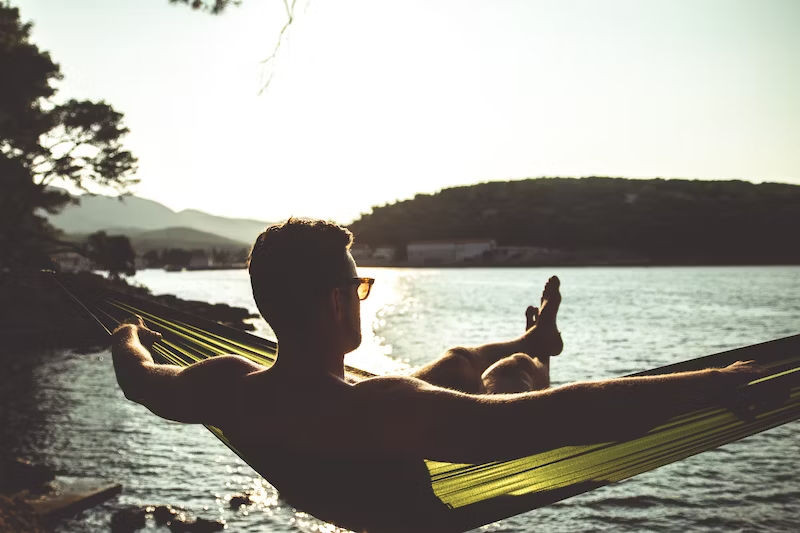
<point x="542" y="336"/>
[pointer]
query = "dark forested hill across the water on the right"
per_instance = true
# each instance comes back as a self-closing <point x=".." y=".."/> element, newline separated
<point x="662" y="220"/>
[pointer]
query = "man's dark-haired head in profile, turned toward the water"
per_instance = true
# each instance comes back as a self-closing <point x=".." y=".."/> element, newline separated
<point x="302" y="276"/>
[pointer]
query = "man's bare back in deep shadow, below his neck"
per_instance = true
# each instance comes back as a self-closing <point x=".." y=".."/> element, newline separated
<point x="293" y="427"/>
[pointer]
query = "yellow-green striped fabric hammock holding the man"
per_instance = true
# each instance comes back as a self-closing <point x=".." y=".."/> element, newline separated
<point x="484" y="493"/>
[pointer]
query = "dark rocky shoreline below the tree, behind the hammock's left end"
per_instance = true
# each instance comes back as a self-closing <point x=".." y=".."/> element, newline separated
<point x="35" y="312"/>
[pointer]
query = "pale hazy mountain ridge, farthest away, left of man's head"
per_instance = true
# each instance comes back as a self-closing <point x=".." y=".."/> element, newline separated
<point x="134" y="215"/>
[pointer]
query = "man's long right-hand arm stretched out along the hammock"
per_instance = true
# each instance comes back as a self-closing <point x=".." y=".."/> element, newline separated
<point x="410" y="418"/>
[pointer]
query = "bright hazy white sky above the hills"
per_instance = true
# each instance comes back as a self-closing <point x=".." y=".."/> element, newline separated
<point x="373" y="101"/>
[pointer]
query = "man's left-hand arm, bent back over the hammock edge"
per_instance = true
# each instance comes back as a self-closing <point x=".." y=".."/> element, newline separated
<point x="196" y="394"/>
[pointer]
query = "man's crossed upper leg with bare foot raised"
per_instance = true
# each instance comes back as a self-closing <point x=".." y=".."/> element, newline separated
<point x="464" y="368"/>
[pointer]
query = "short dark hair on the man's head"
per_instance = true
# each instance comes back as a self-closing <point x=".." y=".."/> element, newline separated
<point x="292" y="265"/>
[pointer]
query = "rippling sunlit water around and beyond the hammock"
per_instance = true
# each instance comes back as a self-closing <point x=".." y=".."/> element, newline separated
<point x="614" y="321"/>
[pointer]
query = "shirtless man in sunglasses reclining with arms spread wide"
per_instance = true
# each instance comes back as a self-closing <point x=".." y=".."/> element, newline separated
<point x="352" y="454"/>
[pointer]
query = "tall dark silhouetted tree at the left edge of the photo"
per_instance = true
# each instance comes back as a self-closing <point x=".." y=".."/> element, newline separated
<point x="43" y="141"/>
